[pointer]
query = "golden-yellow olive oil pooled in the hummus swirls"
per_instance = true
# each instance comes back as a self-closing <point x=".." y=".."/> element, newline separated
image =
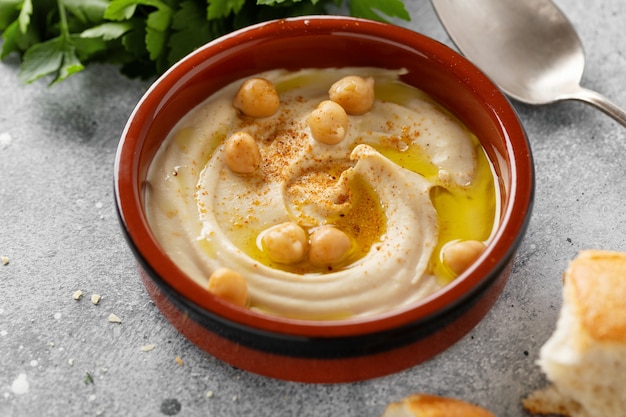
<point x="464" y="212"/>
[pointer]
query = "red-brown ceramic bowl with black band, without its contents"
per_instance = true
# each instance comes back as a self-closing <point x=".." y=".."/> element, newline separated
<point x="347" y="349"/>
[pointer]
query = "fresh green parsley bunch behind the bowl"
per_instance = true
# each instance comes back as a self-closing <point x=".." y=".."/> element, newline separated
<point x="58" y="38"/>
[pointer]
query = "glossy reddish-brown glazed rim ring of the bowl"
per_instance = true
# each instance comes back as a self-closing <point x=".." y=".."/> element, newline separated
<point x="492" y="262"/>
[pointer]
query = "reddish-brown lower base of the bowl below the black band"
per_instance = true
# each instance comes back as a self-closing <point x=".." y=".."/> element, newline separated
<point x="315" y="370"/>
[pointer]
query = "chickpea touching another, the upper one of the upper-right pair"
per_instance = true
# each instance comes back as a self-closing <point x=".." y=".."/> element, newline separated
<point x="354" y="94"/>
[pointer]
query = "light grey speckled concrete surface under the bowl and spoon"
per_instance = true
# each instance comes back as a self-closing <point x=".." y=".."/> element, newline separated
<point x="58" y="227"/>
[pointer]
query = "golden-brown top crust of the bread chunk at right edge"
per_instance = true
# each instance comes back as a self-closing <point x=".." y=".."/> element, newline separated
<point x="595" y="284"/>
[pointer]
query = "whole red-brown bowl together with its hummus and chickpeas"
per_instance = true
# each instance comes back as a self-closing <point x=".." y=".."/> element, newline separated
<point x="324" y="199"/>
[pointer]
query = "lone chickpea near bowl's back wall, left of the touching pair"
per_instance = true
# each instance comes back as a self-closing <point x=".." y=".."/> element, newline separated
<point x="257" y="97"/>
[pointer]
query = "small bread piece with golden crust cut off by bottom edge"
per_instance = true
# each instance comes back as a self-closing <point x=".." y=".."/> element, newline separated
<point x="425" y="405"/>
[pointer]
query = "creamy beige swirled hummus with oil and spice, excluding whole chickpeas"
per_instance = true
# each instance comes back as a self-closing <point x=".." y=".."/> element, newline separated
<point x="406" y="180"/>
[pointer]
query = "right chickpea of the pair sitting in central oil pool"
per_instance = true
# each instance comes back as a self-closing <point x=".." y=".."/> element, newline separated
<point x="329" y="246"/>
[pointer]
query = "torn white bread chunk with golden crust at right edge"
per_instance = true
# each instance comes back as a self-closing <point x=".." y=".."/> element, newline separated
<point x="585" y="358"/>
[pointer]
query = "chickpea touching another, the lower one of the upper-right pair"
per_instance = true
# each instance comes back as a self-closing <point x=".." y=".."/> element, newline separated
<point x="328" y="123"/>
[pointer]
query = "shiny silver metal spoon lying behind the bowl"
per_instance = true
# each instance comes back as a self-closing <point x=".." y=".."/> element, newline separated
<point x="528" y="47"/>
